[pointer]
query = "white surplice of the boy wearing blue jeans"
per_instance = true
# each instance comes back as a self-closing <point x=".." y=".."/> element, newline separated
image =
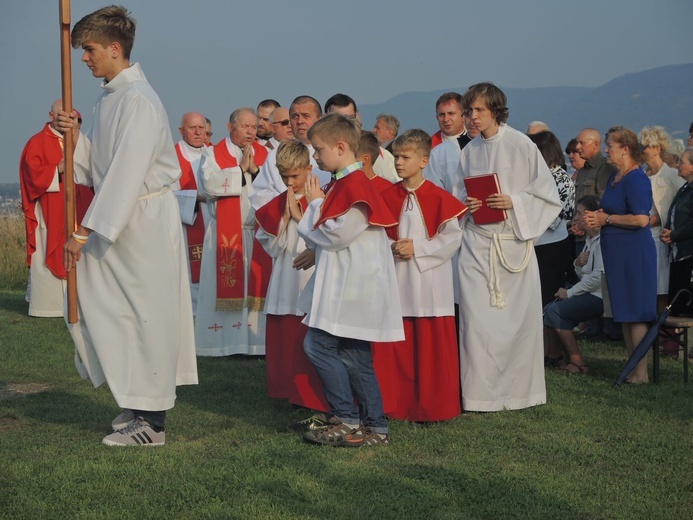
<point x="353" y="292"/>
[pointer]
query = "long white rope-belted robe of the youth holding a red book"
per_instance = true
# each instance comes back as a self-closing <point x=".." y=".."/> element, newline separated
<point x="501" y="346"/>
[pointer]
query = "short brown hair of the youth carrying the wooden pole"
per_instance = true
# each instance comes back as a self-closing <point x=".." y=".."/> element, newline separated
<point x="105" y="26"/>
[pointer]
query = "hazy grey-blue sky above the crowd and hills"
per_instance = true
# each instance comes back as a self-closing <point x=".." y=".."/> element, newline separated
<point x="213" y="56"/>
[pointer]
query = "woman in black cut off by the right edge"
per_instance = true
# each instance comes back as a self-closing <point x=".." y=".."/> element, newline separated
<point x="678" y="232"/>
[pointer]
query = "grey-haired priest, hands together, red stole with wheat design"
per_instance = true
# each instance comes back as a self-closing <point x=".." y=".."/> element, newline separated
<point x="229" y="317"/>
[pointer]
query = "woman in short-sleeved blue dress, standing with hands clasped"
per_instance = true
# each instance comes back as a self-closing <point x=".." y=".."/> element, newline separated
<point x="630" y="257"/>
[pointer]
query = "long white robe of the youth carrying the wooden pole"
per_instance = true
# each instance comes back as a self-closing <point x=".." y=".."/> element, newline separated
<point x="135" y="328"/>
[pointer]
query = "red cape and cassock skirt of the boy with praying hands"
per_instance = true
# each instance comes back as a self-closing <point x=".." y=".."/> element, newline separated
<point x="290" y="374"/>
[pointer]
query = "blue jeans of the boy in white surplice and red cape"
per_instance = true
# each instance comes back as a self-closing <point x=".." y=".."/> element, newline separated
<point x="345" y="367"/>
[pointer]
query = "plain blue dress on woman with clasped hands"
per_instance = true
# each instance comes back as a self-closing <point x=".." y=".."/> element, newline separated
<point x="630" y="257"/>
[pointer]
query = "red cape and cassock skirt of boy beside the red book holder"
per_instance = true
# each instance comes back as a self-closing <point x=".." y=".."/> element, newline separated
<point x="420" y="377"/>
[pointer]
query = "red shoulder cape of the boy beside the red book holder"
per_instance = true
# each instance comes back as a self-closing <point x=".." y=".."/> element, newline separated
<point x="437" y="206"/>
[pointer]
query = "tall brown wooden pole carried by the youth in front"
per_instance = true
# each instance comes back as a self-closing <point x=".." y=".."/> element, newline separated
<point x="68" y="150"/>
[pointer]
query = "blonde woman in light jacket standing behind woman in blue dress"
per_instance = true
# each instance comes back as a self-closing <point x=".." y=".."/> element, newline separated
<point x="665" y="183"/>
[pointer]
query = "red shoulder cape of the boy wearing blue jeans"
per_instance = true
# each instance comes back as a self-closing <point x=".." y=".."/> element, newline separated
<point x="353" y="189"/>
